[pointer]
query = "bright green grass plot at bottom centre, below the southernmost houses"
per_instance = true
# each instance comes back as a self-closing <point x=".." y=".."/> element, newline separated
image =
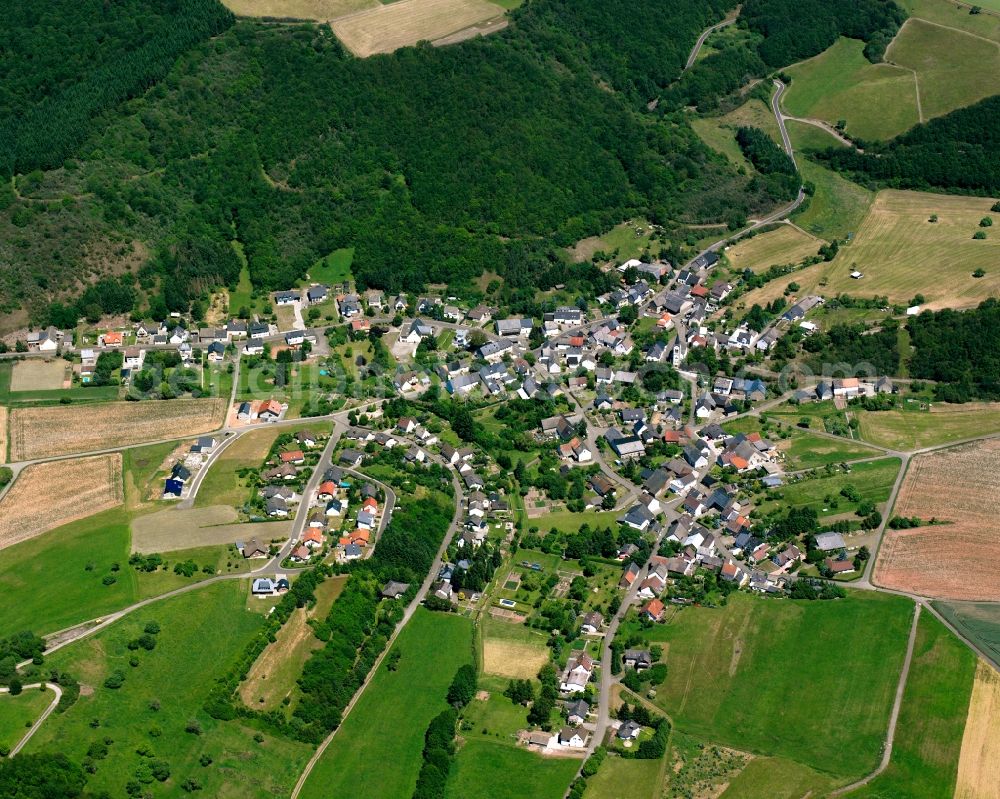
<point x="499" y="771"/>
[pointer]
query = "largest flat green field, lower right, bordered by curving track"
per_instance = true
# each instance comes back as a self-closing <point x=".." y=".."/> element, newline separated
<point x="828" y="712"/>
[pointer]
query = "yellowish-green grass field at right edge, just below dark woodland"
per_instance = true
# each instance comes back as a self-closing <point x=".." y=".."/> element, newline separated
<point x="908" y="429"/>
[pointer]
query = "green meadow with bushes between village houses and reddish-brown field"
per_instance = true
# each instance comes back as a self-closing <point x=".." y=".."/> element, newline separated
<point x="872" y="479"/>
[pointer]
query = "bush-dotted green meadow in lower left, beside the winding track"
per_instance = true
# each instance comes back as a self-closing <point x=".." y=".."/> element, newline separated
<point x="201" y="634"/>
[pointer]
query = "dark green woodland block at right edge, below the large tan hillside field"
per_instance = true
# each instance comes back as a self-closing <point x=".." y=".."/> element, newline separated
<point x="958" y="349"/>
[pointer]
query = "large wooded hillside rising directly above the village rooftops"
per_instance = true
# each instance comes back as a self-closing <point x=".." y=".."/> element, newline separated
<point x="434" y="164"/>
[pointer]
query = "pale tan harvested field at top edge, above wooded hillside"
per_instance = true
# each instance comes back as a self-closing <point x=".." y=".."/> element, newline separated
<point x="387" y="28"/>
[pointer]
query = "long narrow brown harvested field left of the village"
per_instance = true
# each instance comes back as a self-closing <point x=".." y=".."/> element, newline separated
<point x="64" y="429"/>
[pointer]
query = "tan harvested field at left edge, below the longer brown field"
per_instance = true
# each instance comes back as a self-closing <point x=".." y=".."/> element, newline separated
<point x="48" y="495"/>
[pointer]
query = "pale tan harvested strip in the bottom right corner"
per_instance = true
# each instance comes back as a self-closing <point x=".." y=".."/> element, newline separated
<point x="979" y="764"/>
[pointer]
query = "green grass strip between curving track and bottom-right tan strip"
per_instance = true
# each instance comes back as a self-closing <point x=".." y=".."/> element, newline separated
<point x="925" y="753"/>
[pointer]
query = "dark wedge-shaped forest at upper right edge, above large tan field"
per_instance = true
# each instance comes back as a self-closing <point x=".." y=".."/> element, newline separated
<point x="958" y="152"/>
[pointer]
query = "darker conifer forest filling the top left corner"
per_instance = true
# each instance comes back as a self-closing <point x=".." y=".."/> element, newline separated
<point x="62" y="62"/>
